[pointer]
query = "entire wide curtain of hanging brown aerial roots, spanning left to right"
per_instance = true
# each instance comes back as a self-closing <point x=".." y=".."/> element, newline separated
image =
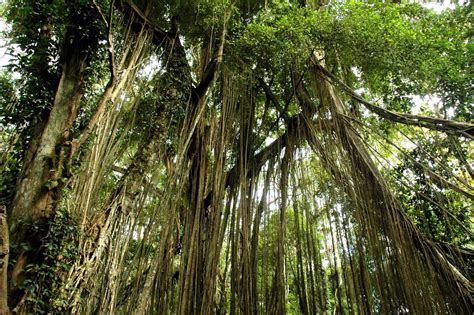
<point x="209" y="242"/>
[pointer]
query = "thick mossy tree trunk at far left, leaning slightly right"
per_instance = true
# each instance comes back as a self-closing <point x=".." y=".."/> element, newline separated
<point x="38" y="188"/>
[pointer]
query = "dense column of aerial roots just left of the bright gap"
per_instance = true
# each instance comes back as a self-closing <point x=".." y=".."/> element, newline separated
<point x="181" y="276"/>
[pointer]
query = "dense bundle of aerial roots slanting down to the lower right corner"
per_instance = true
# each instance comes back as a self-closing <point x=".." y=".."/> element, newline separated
<point x="424" y="273"/>
